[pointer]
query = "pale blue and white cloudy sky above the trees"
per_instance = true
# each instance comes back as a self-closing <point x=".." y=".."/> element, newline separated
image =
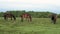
<point x="30" y="5"/>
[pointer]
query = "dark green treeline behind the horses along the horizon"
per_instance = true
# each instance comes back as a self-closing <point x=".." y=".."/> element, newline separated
<point x="32" y="13"/>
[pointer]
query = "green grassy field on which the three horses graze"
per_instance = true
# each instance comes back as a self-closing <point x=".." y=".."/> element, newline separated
<point x="37" y="26"/>
